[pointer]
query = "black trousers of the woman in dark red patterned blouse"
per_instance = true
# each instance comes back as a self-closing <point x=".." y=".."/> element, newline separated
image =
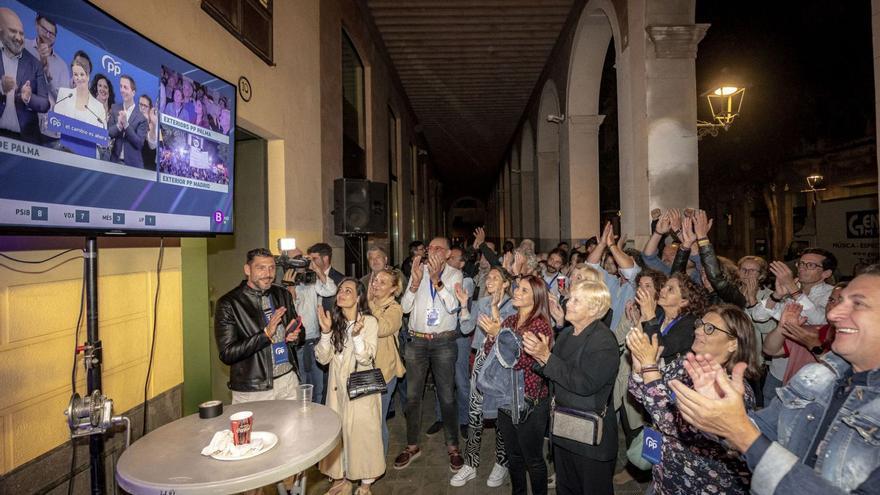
<point x="525" y="448"/>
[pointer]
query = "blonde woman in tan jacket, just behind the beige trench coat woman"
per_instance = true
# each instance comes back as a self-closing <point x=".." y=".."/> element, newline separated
<point x="386" y="287"/>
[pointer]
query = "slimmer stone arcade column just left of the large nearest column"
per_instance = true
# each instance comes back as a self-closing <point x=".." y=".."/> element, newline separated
<point x="580" y="181"/>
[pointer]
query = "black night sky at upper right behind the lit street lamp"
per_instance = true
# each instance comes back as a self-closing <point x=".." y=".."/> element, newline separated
<point x="808" y="67"/>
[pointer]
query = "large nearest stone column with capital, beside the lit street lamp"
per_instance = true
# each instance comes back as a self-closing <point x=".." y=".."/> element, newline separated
<point x="673" y="178"/>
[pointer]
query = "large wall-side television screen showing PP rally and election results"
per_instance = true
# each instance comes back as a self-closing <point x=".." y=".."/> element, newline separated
<point x="103" y="131"/>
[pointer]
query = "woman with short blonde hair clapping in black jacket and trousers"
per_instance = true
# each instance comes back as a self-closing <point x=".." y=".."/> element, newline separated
<point x="582" y="368"/>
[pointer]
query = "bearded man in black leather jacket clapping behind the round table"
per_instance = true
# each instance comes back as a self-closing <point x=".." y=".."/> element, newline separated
<point x="257" y="329"/>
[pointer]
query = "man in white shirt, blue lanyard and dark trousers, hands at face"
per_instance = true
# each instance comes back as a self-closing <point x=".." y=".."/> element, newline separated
<point x="430" y="300"/>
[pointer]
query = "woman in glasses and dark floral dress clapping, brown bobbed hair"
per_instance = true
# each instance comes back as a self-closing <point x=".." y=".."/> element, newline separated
<point x="690" y="462"/>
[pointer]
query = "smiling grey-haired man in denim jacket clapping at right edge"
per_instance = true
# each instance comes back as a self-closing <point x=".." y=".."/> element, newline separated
<point x="822" y="434"/>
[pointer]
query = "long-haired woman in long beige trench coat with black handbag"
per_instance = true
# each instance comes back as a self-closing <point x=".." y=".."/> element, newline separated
<point x="349" y="335"/>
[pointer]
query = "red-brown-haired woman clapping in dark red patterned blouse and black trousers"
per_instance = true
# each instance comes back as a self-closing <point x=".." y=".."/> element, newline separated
<point x="525" y="441"/>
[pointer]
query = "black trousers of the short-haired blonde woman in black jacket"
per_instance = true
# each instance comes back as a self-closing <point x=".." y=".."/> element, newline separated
<point x="579" y="475"/>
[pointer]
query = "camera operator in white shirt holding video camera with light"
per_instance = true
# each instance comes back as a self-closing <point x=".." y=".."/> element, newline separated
<point x="306" y="280"/>
